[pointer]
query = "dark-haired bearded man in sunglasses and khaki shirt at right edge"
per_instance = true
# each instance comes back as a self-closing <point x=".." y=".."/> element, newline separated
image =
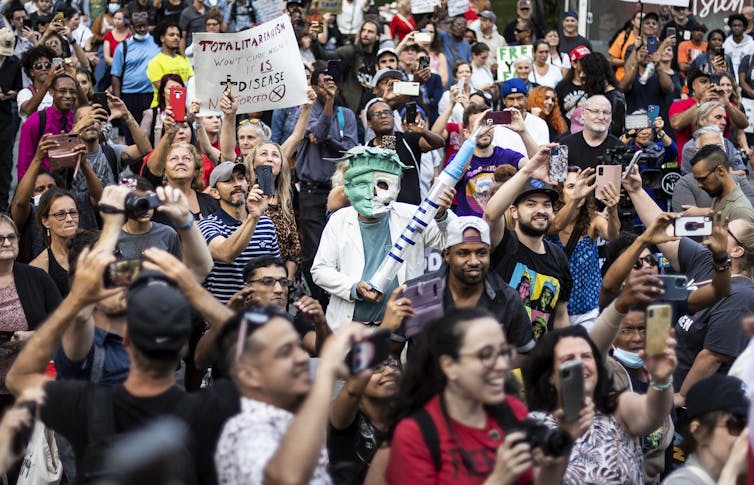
<point x="710" y="169"/>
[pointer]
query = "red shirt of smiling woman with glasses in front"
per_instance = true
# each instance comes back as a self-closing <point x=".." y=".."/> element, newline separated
<point x="411" y="461"/>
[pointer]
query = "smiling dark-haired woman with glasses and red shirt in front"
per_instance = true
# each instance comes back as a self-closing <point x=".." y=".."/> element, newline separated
<point x="454" y="382"/>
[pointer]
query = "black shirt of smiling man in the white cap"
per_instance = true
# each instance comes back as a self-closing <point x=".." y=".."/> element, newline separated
<point x="505" y="304"/>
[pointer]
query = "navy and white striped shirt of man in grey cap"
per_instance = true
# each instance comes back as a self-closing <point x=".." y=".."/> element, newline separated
<point x="227" y="278"/>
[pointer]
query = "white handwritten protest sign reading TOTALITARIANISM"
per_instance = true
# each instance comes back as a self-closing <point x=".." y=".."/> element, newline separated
<point x="263" y="66"/>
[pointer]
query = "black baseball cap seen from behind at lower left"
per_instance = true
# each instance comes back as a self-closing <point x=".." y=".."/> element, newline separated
<point x="158" y="316"/>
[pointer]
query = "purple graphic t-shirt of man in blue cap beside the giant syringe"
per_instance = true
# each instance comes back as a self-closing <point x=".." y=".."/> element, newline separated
<point x="475" y="187"/>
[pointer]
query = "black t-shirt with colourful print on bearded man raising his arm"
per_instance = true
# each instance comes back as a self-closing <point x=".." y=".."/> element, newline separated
<point x="541" y="280"/>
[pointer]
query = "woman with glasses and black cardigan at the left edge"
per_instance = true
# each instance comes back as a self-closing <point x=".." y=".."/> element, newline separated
<point x="27" y="296"/>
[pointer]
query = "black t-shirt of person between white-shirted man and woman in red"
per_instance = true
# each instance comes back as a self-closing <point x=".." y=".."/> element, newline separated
<point x="351" y="449"/>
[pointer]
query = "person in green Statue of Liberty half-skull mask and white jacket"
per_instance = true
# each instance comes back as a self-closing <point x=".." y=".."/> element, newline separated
<point x="356" y="239"/>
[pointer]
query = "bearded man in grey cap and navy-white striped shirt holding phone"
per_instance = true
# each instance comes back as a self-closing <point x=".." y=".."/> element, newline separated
<point x="238" y="231"/>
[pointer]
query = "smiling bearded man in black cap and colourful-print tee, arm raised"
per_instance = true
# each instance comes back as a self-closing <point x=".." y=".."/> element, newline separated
<point x="523" y="252"/>
